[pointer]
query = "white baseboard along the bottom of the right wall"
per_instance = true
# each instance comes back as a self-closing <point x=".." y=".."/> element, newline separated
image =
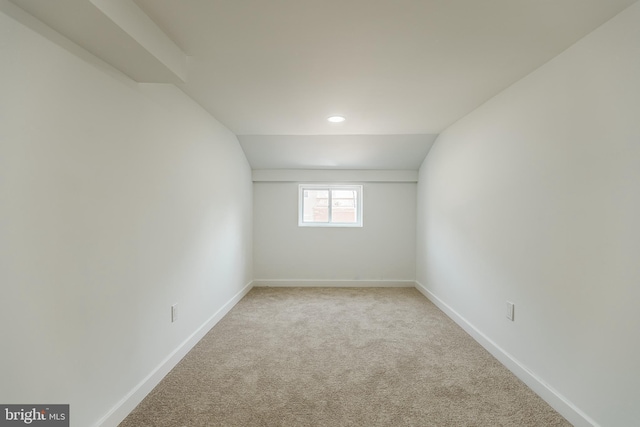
<point x="556" y="400"/>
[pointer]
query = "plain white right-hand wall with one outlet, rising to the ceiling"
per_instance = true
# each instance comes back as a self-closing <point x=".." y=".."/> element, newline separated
<point x="535" y="198"/>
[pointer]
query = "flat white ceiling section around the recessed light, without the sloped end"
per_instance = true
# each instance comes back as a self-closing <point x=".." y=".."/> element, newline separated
<point x="280" y="67"/>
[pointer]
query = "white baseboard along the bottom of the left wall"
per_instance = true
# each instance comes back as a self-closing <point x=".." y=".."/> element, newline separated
<point x="128" y="403"/>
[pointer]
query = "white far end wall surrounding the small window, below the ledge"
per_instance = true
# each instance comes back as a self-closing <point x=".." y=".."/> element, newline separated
<point x="382" y="250"/>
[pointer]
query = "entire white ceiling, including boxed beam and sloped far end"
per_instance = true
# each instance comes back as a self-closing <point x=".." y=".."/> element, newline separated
<point x="400" y="71"/>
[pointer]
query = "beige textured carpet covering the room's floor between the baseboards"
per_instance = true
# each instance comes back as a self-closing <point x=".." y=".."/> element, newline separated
<point x="340" y="357"/>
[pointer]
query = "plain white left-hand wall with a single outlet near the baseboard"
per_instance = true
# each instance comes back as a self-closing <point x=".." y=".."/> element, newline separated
<point x="116" y="201"/>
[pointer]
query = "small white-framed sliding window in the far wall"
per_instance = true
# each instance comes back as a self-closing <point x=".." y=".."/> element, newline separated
<point x="330" y="205"/>
